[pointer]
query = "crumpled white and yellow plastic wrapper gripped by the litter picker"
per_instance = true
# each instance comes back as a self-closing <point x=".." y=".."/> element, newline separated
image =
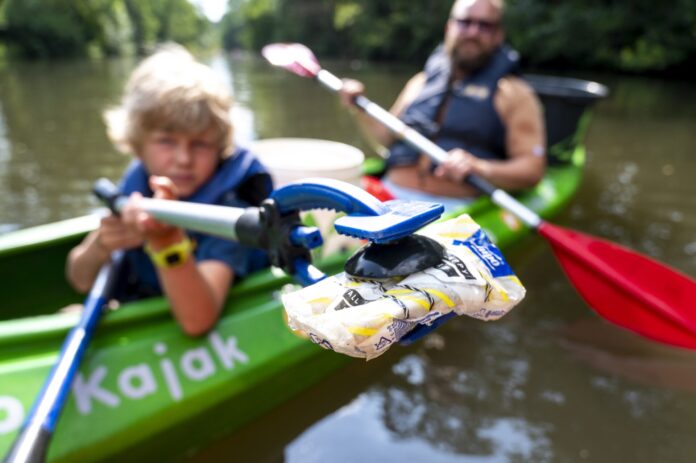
<point x="363" y="318"/>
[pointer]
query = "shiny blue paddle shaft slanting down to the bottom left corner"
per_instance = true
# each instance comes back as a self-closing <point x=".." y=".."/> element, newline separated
<point x="31" y="445"/>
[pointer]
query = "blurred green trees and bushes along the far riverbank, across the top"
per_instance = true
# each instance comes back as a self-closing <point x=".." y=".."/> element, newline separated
<point x="634" y="36"/>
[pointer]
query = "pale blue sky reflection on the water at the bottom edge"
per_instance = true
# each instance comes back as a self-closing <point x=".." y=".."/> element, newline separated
<point x="362" y="422"/>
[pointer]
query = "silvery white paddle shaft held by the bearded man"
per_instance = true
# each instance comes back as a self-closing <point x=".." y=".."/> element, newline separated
<point x="437" y="154"/>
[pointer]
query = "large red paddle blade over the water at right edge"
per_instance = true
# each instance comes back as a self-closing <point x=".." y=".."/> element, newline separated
<point x="627" y="288"/>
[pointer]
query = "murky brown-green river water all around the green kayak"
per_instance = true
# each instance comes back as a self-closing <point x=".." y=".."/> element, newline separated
<point x="548" y="383"/>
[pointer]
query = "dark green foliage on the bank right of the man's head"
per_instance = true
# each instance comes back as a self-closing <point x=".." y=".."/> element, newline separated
<point x="632" y="36"/>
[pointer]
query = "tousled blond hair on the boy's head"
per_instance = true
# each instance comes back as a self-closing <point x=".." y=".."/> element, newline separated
<point x="171" y="91"/>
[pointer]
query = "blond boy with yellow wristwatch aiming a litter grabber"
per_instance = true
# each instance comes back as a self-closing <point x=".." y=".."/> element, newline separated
<point x="174" y="117"/>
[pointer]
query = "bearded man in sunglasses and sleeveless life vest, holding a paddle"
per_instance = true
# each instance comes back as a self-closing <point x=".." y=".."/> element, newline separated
<point x="470" y="101"/>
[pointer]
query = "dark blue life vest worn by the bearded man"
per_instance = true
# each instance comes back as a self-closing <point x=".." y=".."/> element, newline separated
<point x="469" y="120"/>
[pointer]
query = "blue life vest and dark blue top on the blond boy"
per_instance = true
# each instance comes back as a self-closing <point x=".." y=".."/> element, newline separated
<point x="239" y="181"/>
